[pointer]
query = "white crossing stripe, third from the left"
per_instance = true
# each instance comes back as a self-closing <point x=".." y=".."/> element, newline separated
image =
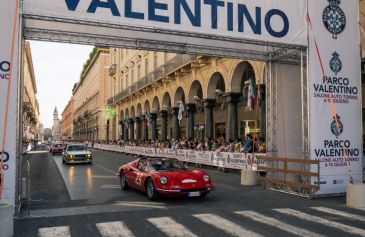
<point x="170" y="227"/>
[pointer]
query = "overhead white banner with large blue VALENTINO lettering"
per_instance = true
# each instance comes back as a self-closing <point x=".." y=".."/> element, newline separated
<point x="275" y="21"/>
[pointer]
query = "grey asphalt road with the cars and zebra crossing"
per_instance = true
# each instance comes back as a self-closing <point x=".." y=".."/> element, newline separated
<point x="85" y="200"/>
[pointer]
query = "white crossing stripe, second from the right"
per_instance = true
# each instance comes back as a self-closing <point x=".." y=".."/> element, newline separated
<point x="322" y="221"/>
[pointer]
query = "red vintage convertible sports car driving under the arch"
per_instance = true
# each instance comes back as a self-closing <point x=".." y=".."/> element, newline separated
<point x="164" y="177"/>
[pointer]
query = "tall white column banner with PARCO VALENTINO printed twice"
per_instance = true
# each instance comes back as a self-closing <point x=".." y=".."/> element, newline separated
<point x="335" y="93"/>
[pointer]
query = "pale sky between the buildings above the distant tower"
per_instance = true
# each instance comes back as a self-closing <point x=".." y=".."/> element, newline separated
<point x="57" y="68"/>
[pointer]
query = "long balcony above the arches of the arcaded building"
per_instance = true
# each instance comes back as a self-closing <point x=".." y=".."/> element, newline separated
<point x="181" y="63"/>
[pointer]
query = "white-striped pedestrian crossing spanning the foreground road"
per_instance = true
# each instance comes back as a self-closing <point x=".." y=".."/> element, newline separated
<point x="237" y="223"/>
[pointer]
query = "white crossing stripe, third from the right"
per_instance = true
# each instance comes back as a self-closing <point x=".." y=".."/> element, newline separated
<point x="278" y="224"/>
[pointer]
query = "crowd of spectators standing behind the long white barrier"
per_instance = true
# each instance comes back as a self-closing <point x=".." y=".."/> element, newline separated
<point x="248" y="145"/>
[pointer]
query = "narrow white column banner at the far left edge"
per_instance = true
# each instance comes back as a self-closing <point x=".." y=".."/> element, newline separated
<point x="9" y="38"/>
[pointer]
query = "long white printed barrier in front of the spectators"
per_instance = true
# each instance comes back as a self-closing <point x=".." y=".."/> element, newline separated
<point x="218" y="159"/>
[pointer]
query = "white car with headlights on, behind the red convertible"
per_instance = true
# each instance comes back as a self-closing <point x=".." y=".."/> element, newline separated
<point x="76" y="153"/>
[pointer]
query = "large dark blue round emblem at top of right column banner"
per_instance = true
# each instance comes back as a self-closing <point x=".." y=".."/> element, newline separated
<point x="334" y="18"/>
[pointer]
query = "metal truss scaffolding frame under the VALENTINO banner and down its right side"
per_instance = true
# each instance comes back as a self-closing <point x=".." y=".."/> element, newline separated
<point x="43" y="28"/>
